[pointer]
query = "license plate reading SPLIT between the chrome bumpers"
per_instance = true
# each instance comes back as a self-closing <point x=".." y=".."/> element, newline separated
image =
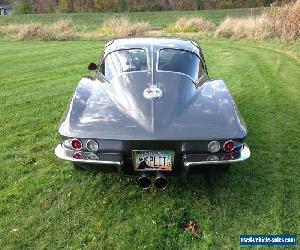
<point x="152" y="160"/>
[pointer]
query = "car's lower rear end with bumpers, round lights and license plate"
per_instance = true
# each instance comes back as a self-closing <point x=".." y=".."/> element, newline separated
<point x="151" y="156"/>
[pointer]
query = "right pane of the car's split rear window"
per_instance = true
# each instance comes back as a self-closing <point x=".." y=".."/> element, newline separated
<point x="181" y="61"/>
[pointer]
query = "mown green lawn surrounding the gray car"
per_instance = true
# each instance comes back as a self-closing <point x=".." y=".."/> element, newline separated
<point x="45" y="203"/>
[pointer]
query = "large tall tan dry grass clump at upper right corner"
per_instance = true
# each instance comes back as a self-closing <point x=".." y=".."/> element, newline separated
<point x="279" y="21"/>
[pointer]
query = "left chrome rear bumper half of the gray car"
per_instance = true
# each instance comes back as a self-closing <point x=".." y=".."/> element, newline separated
<point x="105" y="159"/>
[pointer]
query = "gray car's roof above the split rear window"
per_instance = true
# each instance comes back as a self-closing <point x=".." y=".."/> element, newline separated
<point x="151" y="43"/>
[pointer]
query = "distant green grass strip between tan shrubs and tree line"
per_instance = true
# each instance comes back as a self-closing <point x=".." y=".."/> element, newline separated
<point x="156" y="19"/>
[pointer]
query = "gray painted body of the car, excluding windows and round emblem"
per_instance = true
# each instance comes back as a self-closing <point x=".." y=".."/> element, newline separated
<point x="118" y="110"/>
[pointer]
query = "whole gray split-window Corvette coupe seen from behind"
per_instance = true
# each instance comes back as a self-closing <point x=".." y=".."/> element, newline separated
<point x="151" y="109"/>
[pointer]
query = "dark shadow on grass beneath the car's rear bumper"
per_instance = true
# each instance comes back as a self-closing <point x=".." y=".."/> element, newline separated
<point x="208" y="179"/>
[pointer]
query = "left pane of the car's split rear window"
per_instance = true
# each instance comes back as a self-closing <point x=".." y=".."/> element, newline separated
<point x="122" y="61"/>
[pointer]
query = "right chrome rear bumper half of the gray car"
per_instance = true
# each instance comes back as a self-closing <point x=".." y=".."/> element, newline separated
<point x="207" y="159"/>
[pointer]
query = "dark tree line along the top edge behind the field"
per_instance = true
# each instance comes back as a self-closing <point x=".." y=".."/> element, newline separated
<point x="42" y="6"/>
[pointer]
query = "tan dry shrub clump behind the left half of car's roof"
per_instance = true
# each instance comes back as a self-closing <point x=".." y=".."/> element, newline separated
<point x="122" y="27"/>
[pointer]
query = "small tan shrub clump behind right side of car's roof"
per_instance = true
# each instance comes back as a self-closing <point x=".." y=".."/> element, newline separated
<point x="195" y="24"/>
